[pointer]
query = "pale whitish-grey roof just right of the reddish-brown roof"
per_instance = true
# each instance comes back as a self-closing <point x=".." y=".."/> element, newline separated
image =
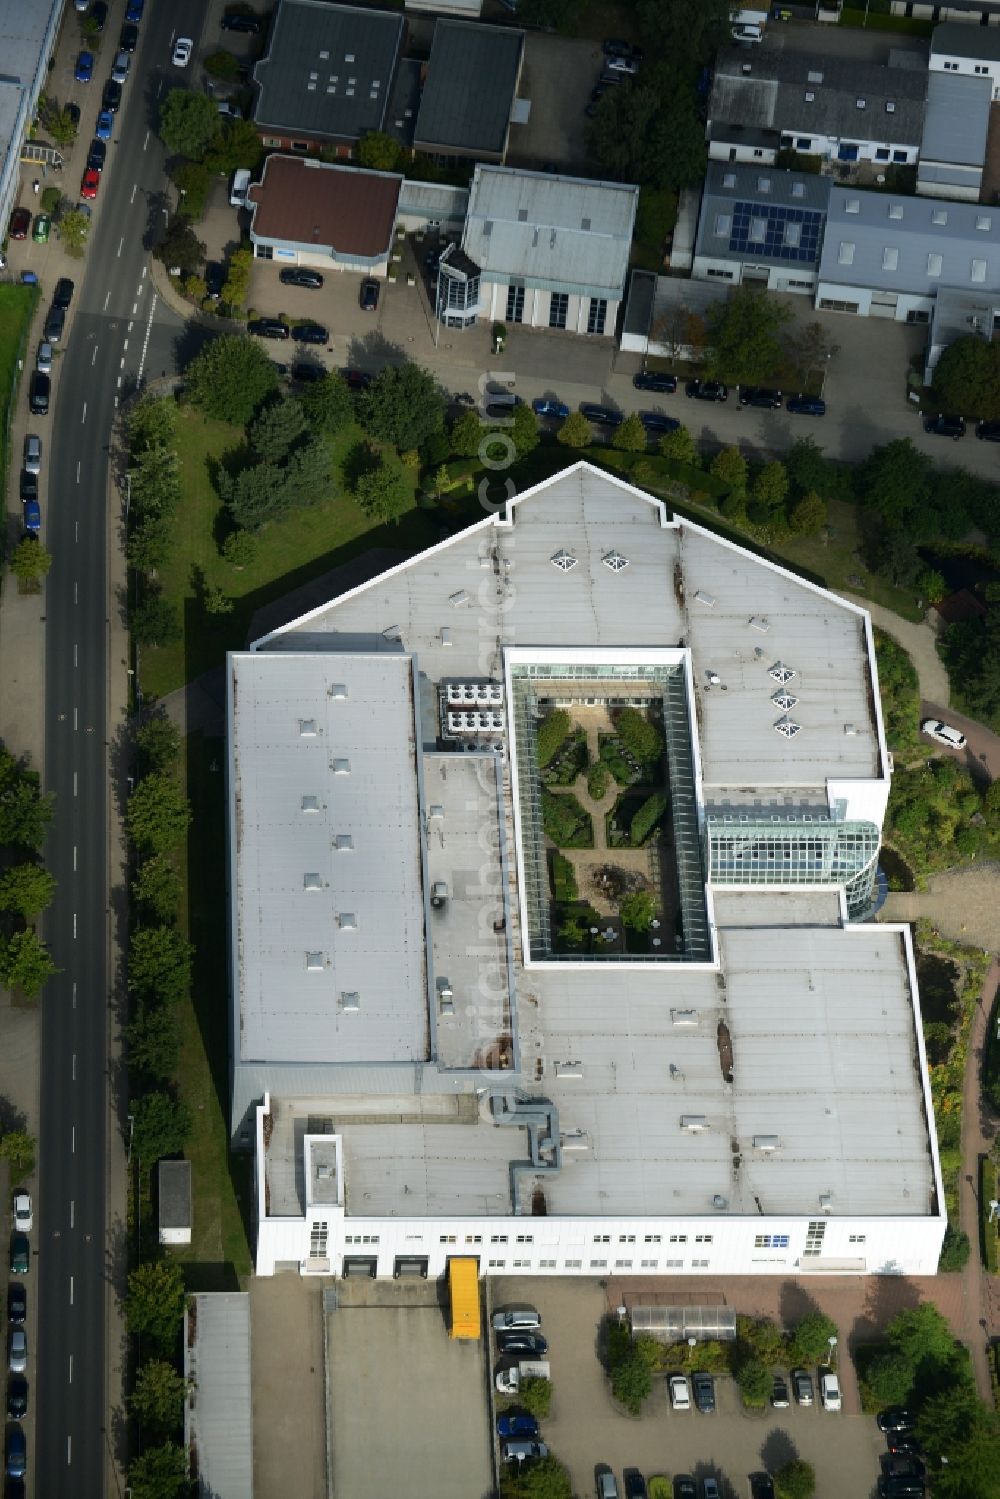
<point x="563" y="233"/>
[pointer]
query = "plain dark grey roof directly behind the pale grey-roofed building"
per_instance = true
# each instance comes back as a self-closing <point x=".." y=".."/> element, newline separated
<point x="470" y="88"/>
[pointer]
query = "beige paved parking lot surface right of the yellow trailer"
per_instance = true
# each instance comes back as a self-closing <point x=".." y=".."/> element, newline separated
<point x="587" y="1429"/>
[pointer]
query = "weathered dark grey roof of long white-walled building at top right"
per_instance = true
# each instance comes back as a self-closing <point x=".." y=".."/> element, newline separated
<point x="801" y="94"/>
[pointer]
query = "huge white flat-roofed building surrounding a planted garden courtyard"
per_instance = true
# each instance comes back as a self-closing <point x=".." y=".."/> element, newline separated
<point x="424" y="1059"/>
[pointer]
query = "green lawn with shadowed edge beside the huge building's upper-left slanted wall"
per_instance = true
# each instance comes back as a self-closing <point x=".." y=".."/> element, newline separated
<point x="293" y="552"/>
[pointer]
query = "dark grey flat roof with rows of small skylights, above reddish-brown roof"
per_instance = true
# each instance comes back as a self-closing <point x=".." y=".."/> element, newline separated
<point x="329" y="70"/>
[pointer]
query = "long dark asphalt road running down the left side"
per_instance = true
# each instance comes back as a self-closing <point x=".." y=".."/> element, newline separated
<point x="116" y="323"/>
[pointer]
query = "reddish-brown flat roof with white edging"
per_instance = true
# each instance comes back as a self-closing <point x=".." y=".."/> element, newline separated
<point x="308" y="203"/>
